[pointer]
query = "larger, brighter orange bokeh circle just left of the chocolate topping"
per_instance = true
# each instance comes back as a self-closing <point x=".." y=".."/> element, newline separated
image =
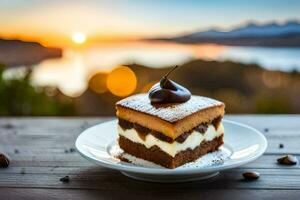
<point x="121" y="81"/>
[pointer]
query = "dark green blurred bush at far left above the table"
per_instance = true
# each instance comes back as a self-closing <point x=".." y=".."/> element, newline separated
<point x="18" y="97"/>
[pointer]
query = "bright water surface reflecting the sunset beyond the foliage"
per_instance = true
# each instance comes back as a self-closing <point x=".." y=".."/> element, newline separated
<point x="71" y="72"/>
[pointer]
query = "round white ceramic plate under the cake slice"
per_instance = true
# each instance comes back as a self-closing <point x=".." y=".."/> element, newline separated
<point x="242" y="144"/>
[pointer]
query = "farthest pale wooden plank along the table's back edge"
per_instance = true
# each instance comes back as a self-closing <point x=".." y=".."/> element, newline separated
<point x="274" y="123"/>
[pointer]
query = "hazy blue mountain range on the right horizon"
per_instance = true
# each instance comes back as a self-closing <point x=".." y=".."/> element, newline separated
<point x="249" y="34"/>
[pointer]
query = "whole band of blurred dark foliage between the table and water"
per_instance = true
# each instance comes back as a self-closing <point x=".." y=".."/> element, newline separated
<point x="243" y="88"/>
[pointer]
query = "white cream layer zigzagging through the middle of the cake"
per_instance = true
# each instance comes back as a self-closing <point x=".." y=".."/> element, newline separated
<point x="191" y="142"/>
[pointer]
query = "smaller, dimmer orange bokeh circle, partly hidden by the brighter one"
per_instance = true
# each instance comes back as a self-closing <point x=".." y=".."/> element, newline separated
<point x="97" y="82"/>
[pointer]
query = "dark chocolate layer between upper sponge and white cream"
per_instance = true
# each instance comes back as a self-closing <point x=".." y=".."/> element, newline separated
<point x="143" y="131"/>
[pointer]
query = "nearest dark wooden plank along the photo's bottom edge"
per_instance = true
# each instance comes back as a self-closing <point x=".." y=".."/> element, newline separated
<point x="79" y="194"/>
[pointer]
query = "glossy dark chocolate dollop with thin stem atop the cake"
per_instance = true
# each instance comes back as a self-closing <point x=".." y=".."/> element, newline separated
<point x="167" y="91"/>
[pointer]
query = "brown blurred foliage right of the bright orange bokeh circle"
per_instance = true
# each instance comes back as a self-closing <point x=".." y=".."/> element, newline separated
<point x="245" y="88"/>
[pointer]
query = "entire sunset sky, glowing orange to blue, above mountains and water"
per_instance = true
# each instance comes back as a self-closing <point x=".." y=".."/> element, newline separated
<point x="53" y="22"/>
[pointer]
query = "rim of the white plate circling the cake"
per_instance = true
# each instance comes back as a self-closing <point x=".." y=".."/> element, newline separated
<point x="165" y="171"/>
